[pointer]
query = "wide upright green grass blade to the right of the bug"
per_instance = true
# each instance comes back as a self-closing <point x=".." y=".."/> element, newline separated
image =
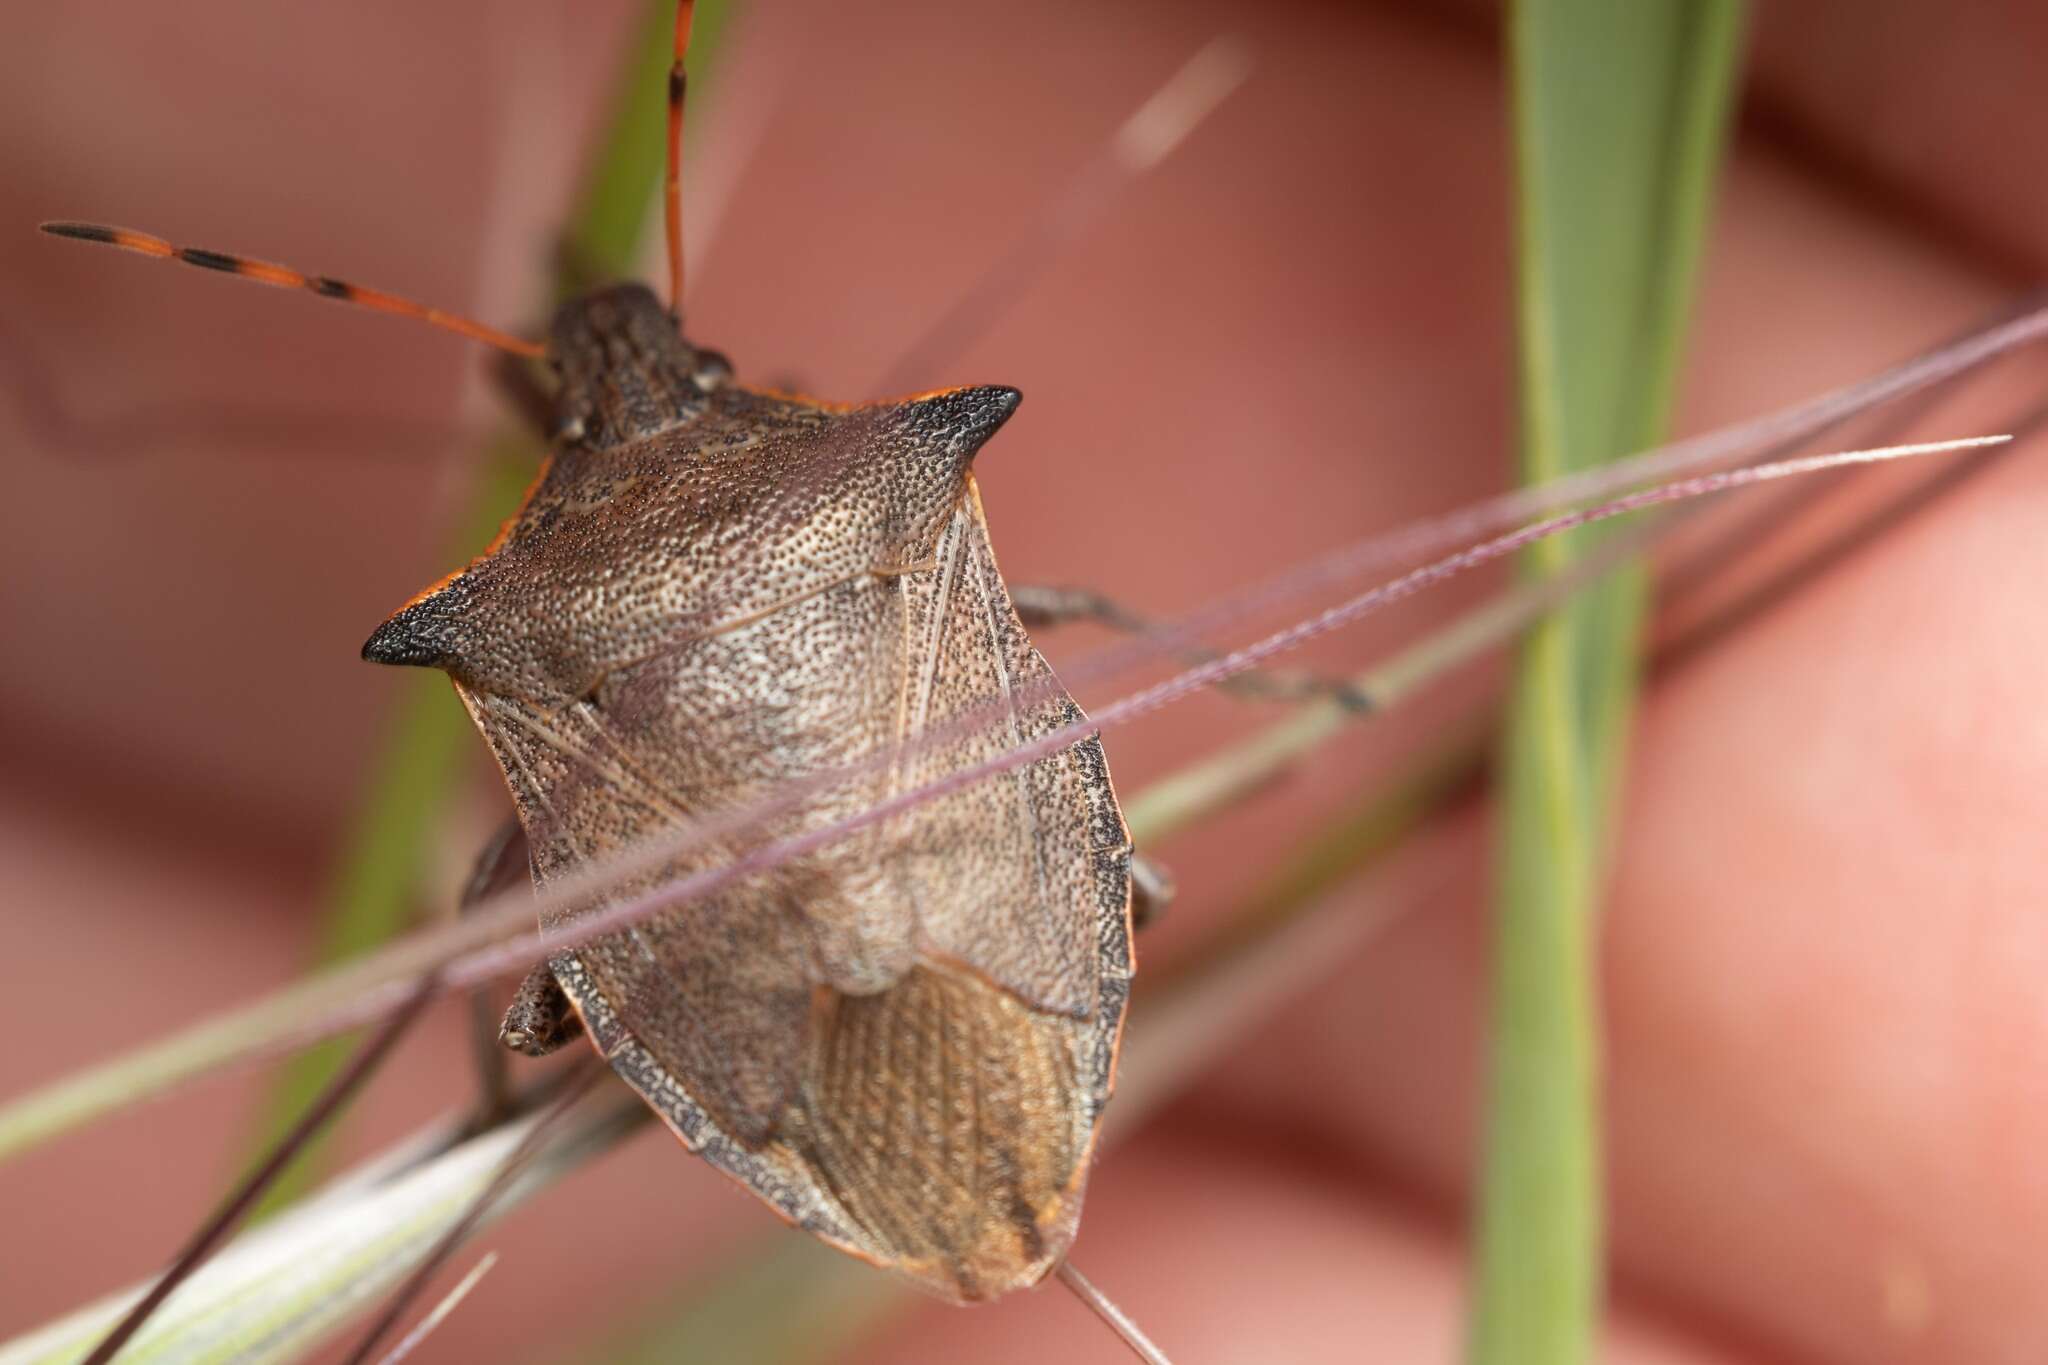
<point x="1619" y="126"/>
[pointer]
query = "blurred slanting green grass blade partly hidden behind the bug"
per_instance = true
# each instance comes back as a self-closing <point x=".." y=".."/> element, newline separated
<point x="374" y="889"/>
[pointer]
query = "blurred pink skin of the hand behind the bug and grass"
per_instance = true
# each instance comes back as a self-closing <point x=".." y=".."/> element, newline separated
<point x="1826" y="946"/>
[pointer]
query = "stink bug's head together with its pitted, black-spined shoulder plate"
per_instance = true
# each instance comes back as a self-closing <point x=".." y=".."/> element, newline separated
<point x="679" y="507"/>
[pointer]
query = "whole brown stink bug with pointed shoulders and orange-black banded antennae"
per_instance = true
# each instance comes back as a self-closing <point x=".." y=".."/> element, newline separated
<point x="904" y="1043"/>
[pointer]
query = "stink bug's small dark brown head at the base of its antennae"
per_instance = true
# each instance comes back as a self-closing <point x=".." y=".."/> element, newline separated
<point x="626" y="369"/>
